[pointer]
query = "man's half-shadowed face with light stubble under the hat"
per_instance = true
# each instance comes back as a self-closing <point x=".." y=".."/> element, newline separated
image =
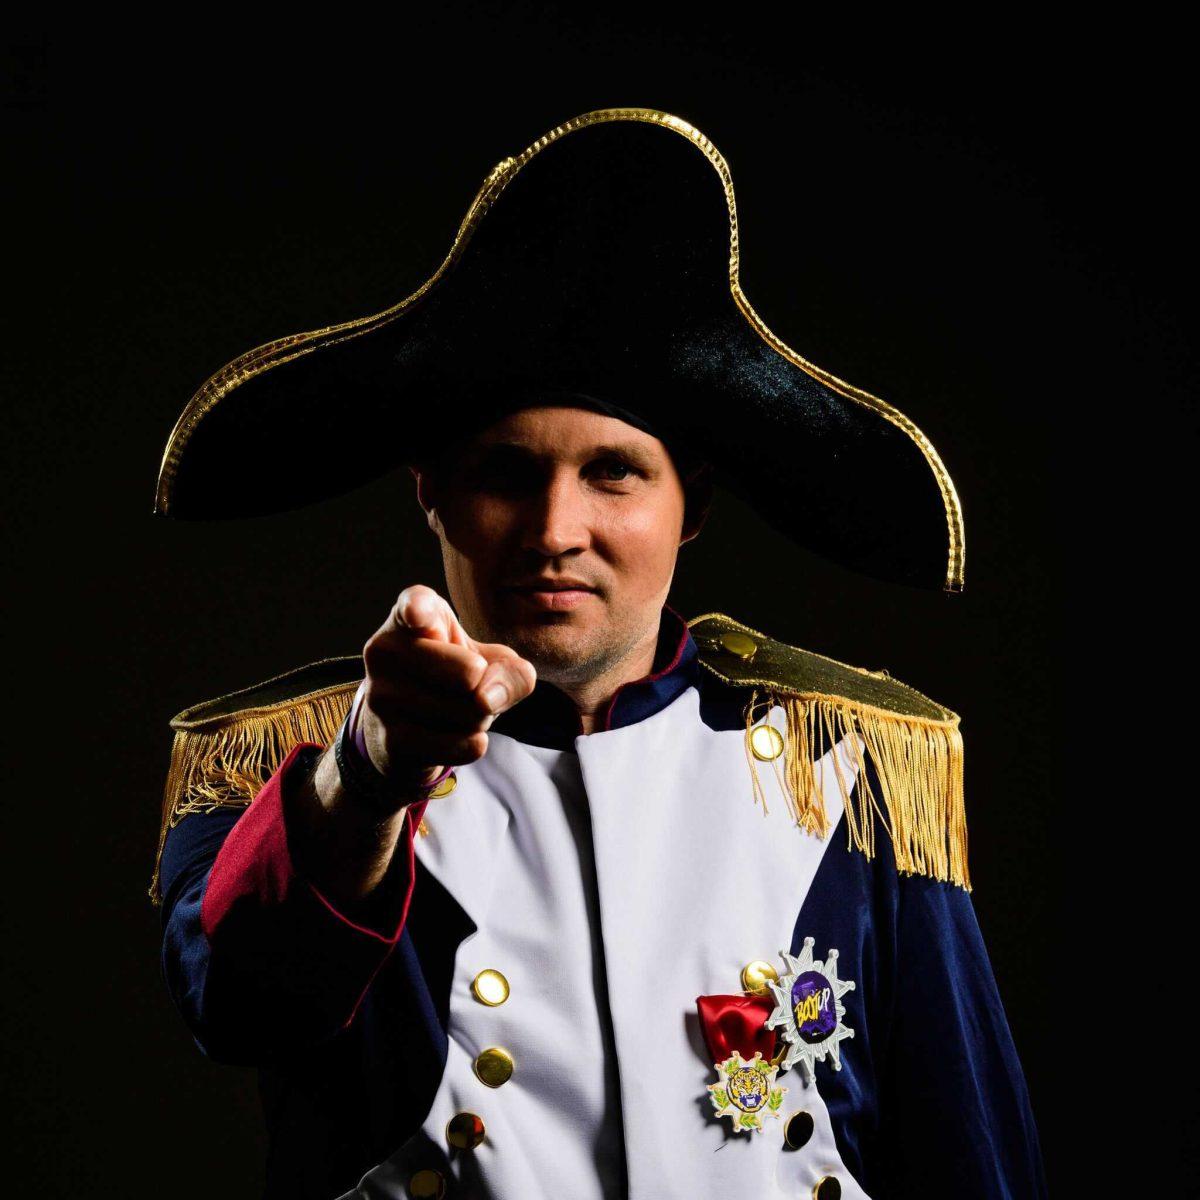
<point x="560" y="530"/>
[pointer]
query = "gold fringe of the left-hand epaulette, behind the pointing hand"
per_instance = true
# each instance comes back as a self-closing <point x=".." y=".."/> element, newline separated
<point x="226" y="764"/>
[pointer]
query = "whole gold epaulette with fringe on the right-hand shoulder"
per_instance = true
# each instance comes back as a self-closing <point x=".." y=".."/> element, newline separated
<point x="914" y="743"/>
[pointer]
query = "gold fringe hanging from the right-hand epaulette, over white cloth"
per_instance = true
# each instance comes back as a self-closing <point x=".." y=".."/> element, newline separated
<point x="920" y="767"/>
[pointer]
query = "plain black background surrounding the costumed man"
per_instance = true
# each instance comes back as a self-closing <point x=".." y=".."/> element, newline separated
<point x="953" y="220"/>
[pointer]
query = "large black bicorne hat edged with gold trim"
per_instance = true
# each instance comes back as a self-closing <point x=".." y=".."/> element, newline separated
<point x="602" y="261"/>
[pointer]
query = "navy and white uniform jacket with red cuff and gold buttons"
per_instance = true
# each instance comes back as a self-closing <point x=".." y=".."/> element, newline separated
<point x="519" y="1016"/>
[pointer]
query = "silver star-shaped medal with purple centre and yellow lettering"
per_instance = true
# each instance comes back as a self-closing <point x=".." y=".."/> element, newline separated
<point x="808" y="1006"/>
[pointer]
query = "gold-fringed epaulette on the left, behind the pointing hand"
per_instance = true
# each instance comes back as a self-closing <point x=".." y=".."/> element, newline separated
<point x="226" y="749"/>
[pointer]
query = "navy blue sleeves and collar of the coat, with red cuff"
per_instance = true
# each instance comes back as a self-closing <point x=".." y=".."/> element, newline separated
<point x="346" y="1019"/>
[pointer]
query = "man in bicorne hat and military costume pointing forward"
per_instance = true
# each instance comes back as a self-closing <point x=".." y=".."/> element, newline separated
<point x="550" y="892"/>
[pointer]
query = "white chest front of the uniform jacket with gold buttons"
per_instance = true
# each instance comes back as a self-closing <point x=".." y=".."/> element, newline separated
<point x="610" y="887"/>
